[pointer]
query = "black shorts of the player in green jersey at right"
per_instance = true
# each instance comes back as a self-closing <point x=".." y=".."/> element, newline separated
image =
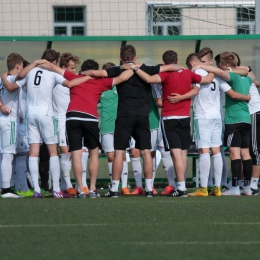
<point x="237" y="135"/>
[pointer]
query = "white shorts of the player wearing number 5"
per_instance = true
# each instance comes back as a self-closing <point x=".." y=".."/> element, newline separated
<point x="207" y="133"/>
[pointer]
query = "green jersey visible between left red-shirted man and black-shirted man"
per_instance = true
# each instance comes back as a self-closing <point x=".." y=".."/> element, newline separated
<point x="108" y="101"/>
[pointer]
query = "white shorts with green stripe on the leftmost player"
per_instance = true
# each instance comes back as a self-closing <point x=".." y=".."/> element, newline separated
<point x="8" y="135"/>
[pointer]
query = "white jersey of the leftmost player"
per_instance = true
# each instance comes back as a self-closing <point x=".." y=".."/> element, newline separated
<point x="10" y="99"/>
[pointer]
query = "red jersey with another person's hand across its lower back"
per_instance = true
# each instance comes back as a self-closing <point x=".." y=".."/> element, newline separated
<point x="179" y="82"/>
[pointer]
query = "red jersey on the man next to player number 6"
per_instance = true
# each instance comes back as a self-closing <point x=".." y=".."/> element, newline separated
<point x="85" y="97"/>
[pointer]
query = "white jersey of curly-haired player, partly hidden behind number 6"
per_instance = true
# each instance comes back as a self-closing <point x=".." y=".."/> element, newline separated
<point x="61" y="100"/>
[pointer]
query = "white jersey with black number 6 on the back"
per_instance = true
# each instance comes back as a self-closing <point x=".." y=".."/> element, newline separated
<point x="40" y="84"/>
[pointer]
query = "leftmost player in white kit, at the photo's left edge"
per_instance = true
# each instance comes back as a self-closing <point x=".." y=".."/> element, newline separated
<point x="9" y="118"/>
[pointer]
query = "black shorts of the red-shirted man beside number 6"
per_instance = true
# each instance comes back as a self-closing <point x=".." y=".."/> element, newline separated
<point x="82" y="127"/>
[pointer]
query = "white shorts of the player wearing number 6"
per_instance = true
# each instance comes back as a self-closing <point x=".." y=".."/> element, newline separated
<point x="41" y="129"/>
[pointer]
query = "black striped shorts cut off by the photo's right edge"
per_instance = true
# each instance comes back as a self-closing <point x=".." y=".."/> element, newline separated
<point x="255" y="138"/>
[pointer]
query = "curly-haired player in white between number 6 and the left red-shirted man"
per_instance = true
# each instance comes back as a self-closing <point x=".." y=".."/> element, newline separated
<point x="61" y="99"/>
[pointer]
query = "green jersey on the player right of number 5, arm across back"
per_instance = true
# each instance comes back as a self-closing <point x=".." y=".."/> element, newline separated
<point x="237" y="111"/>
